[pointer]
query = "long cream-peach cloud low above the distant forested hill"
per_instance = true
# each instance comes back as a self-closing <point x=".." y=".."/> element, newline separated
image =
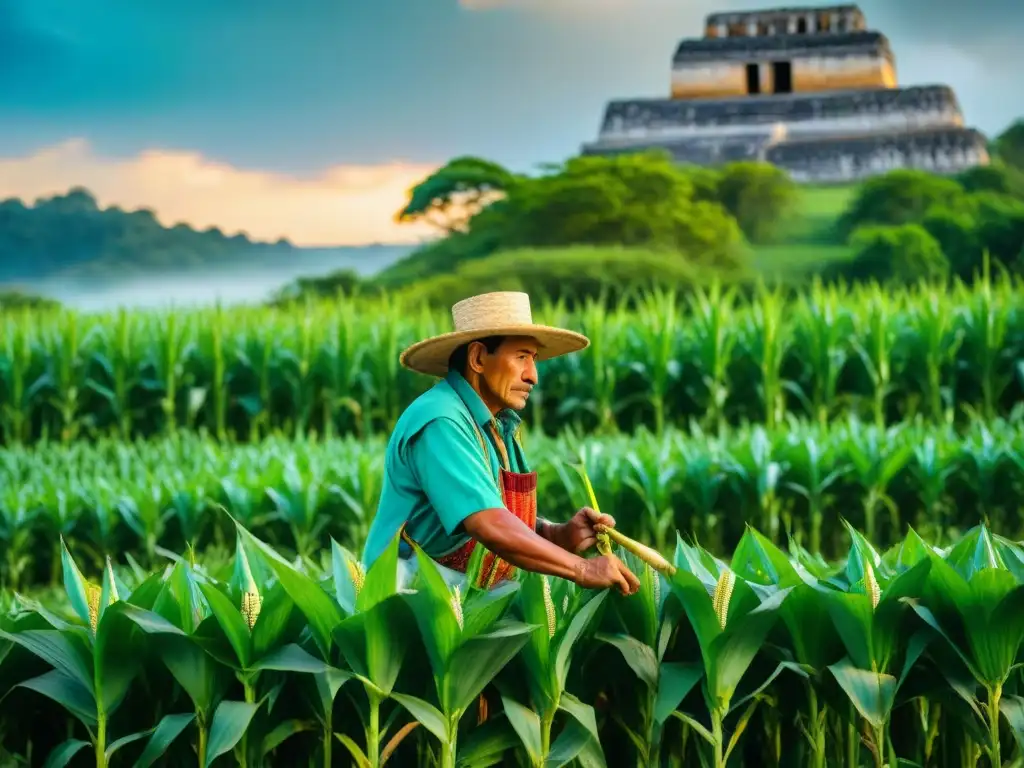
<point x="343" y="205"/>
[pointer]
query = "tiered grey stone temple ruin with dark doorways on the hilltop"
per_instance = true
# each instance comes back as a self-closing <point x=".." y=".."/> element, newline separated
<point x="812" y="91"/>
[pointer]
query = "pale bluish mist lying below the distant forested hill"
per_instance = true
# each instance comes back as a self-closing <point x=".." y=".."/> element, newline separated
<point x="230" y="286"/>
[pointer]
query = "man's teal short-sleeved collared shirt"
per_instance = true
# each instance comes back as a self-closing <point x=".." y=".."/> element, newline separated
<point x="436" y="474"/>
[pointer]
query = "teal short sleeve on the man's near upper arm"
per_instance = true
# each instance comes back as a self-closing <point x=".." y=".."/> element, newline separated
<point x="453" y="473"/>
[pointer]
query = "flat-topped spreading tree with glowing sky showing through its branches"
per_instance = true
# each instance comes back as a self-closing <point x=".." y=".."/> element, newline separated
<point x="452" y="196"/>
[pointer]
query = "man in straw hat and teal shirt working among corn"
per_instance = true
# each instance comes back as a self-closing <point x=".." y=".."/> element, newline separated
<point x="455" y="474"/>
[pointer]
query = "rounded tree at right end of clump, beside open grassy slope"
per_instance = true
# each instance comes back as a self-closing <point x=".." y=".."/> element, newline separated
<point x="760" y="196"/>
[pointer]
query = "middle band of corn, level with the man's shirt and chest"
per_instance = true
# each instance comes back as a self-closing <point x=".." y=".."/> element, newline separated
<point x="798" y="481"/>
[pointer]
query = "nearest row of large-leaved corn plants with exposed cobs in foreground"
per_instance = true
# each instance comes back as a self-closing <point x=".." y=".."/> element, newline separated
<point x="911" y="657"/>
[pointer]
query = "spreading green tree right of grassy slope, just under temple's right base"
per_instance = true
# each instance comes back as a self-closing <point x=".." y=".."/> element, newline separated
<point x="903" y="197"/>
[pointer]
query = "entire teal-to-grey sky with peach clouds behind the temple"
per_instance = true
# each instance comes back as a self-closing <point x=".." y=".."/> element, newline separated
<point x="312" y="119"/>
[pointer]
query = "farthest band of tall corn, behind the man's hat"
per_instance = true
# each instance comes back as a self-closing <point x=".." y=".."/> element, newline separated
<point x="711" y="357"/>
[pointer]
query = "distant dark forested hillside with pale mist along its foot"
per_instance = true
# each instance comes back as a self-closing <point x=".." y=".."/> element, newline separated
<point x="70" y="249"/>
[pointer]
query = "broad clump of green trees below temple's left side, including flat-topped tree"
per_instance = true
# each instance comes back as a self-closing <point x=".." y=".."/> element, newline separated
<point x="697" y="217"/>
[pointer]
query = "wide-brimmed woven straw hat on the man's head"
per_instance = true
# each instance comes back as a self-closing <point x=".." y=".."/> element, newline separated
<point x="500" y="314"/>
